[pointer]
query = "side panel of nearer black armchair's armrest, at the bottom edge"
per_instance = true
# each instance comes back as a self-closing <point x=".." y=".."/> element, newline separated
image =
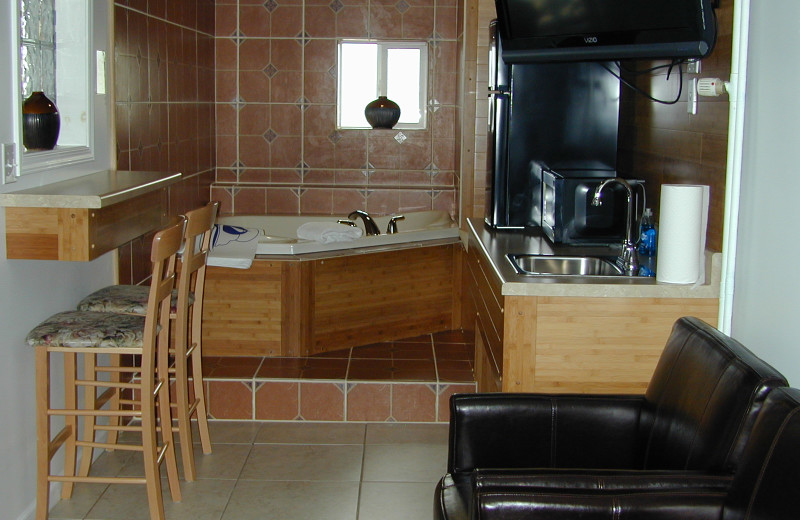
<point x="686" y="505"/>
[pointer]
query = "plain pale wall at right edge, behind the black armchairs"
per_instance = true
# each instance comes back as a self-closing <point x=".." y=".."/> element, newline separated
<point x="766" y="300"/>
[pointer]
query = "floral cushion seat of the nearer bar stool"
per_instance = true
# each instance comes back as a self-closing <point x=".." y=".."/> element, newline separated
<point x="75" y="329"/>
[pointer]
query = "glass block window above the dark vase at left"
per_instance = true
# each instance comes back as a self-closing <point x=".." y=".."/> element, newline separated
<point x="38" y="47"/>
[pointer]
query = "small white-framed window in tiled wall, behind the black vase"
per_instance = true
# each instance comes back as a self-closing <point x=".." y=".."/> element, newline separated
<point x="398" y="70"/>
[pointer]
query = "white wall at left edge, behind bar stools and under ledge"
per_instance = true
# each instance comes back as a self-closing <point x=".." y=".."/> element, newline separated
<point x="30" y="290"/>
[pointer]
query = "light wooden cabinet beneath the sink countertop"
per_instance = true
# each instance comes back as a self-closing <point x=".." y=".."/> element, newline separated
<point x="563" y="344"/>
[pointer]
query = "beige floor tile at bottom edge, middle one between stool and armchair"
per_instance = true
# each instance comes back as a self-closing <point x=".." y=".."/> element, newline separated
<point x="259" y="500"/>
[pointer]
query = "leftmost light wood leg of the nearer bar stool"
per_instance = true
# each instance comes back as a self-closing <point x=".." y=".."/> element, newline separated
<point x="42" y="433"/>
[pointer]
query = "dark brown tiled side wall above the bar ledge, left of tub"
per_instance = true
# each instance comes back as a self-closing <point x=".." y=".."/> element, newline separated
<point x="164" y="88"/>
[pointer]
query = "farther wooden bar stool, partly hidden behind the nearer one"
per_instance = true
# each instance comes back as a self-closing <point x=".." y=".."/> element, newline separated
<point x="187" y="347"/>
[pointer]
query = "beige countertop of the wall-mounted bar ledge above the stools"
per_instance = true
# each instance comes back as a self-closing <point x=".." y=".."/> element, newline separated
<point x="97" y="190"/>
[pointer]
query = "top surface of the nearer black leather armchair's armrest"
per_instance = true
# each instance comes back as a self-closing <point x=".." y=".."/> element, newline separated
<point x="598" y="481"/>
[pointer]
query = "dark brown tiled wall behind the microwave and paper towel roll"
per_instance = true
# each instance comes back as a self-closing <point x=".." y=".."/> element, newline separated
<point x="664" y="144"/>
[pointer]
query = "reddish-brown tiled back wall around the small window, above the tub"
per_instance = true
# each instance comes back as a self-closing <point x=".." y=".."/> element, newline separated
<point x="278" y="148"/>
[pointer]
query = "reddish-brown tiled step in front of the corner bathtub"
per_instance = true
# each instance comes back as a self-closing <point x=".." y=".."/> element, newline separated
<point x="408" y="380"/>
